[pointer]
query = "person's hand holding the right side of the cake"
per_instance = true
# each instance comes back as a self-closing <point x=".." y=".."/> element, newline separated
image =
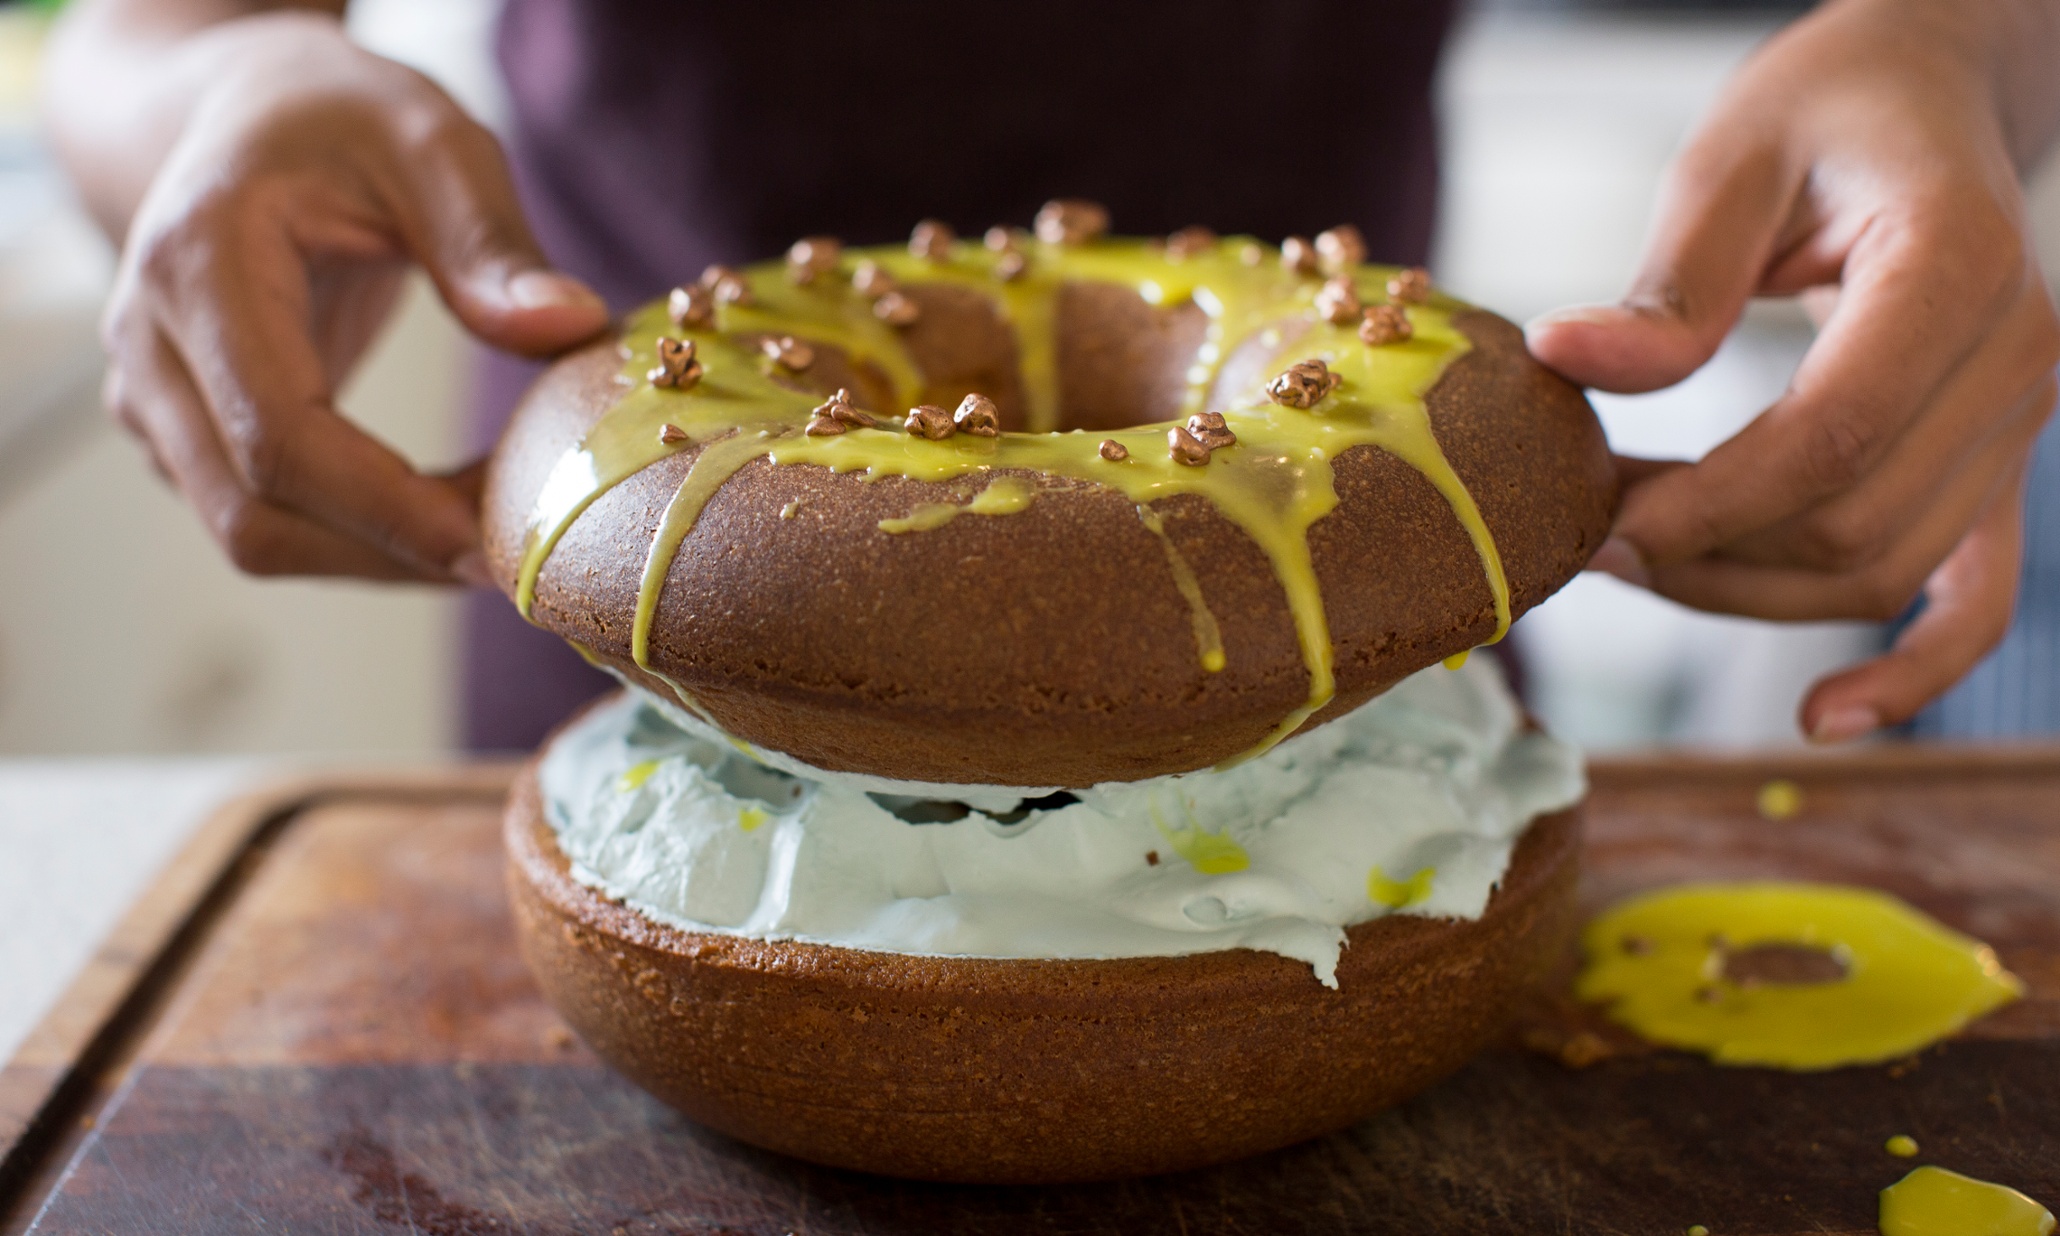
<point x="1859" y="151"/>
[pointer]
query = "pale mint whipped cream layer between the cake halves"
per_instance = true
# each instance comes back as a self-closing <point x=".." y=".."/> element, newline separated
<point x="1410" y="804"/>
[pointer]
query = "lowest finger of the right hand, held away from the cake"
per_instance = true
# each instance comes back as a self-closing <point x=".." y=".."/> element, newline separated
<point x="1968" y="611"/>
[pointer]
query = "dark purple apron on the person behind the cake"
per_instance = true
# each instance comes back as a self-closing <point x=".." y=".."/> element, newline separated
<point x="656" y="137"/>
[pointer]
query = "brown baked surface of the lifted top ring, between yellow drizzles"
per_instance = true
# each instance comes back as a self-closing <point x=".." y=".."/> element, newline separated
<point x="1050" y="648"/>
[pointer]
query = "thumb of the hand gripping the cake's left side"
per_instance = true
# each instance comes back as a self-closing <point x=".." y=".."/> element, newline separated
<point x="487" y="265"/>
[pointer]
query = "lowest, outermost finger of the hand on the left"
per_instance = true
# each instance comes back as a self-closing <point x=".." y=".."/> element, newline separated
<point x="153" y="399"/>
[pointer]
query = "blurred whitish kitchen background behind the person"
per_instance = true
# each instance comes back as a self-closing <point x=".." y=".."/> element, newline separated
<point x="125" y="631"/>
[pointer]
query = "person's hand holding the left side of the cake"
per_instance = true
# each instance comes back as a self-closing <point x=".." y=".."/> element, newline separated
<point x="261" y="265"/>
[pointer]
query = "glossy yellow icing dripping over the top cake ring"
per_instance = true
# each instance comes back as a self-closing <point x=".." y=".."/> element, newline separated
<point x="1274" y="485"/>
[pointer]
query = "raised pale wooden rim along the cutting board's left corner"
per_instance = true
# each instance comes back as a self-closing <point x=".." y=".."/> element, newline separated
<point x="94" y="1025"/>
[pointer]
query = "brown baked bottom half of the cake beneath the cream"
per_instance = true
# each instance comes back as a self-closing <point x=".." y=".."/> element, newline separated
<point x="1031" y="1070"/>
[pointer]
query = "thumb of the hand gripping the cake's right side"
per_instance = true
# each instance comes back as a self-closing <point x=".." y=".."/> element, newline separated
<point x="1719" y="215"/>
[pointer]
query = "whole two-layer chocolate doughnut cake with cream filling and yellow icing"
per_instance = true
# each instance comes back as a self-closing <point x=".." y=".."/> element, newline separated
<point x="1050" y="747"/>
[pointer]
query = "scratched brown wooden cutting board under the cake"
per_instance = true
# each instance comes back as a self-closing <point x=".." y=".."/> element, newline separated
<point x="318" y="1023"/>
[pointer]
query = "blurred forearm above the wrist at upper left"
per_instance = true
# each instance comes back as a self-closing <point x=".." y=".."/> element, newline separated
<point x="125" y="77"/>
